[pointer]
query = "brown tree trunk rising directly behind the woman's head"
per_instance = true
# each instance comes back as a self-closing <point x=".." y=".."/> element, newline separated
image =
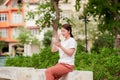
<point x="55" y="23"/>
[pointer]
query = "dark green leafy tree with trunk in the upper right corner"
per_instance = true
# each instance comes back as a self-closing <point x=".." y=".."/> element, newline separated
<point x="108" y="13"/>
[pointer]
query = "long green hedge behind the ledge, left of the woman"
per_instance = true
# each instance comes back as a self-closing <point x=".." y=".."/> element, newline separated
<point x="42" y="60"/>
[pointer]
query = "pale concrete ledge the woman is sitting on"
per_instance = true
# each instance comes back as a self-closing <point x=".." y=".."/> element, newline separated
<point x="24" y="73"/>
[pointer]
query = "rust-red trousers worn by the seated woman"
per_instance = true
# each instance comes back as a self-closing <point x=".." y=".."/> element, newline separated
<point x="60" y="69"/>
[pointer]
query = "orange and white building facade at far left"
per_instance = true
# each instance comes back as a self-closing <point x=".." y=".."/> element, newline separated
<point x="11" y="17"/>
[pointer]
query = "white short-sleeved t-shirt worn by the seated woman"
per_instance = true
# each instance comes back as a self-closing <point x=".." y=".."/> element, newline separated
<point x="67" y="44"/>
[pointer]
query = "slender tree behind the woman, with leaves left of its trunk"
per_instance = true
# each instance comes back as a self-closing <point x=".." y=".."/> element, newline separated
<point x="48" y="14"/>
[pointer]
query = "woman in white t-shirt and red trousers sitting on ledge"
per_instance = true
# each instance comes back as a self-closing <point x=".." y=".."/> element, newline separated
<point x="67" y="50"/>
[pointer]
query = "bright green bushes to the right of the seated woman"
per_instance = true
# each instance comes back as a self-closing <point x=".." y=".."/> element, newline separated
<point x="104" y="65"/>
